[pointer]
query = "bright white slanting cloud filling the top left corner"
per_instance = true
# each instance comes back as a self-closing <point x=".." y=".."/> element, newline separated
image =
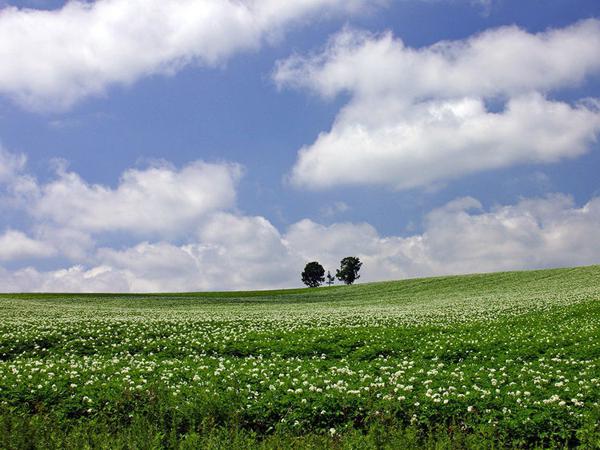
<point x="51" y="59"/>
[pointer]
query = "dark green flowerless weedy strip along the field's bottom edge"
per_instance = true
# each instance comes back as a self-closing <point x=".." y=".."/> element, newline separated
<point x="18" y="432"/>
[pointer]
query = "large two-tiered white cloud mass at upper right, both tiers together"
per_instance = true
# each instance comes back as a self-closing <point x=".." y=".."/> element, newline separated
<point x="418" y="116"/>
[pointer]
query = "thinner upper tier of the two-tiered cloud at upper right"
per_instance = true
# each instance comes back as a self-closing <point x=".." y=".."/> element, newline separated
<point x="502" y="61"/>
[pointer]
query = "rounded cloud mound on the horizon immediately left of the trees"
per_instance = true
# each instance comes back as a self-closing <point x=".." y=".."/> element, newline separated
<point x="231" y="252"/>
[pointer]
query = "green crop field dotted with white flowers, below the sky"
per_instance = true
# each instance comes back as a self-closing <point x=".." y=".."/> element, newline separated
<point x="506" y="359"/>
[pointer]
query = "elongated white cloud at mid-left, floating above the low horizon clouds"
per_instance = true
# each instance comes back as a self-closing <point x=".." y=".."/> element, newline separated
<point x="158" y="200"/>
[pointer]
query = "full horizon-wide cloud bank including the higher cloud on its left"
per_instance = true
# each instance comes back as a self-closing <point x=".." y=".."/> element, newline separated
<point x="217" y="247"/>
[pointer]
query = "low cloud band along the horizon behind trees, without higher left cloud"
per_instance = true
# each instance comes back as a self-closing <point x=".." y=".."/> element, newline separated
<point x="242" y="252"/>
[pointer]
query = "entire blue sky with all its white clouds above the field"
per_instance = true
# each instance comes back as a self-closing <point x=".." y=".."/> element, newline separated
<point x="421" y="158"/>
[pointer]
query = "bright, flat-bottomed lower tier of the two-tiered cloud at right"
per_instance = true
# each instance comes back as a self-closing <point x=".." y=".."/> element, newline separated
<point x="421" y="144"/>
